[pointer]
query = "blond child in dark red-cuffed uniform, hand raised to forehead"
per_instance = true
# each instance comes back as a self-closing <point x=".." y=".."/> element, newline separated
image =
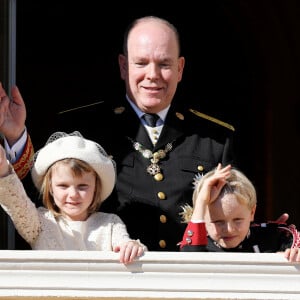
<point x="222" y="219"/>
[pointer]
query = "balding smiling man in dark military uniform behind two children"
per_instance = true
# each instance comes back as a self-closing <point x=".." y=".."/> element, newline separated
<point x="157" y="162"/>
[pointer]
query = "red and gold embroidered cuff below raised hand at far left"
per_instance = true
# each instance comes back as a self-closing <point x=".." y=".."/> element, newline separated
<point x="24" y="163"/>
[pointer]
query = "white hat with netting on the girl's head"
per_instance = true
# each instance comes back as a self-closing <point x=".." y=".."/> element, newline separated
<point x="61" y="145"/>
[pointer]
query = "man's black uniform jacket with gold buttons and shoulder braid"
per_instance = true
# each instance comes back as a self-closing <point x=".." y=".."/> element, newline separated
<point x="150" y="205"/>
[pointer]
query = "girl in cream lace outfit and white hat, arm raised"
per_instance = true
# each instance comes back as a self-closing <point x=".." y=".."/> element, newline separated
<point x="74" y="176"/>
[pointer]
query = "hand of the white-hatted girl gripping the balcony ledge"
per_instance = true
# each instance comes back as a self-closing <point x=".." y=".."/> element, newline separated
<point x="130" y="250"/>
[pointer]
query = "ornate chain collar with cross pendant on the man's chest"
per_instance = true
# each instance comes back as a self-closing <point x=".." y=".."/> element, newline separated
<point x="155" y="157"/>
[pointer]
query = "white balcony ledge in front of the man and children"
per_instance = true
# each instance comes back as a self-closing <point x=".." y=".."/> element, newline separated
<point x="157" y="275"/>
